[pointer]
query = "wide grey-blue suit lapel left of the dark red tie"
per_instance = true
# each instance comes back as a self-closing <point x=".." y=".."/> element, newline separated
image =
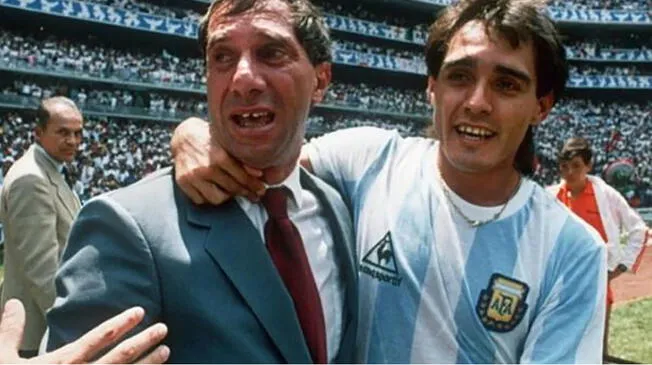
<point x="235" y="246"/>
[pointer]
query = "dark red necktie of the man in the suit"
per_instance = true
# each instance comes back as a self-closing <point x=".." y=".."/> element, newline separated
<point x="286" y="249"/>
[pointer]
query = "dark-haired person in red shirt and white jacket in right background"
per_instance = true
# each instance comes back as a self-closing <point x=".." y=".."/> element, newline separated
<point x="601" y="206"/>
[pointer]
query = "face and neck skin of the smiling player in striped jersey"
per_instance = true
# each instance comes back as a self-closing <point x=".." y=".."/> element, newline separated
<point x="484" y="83"/>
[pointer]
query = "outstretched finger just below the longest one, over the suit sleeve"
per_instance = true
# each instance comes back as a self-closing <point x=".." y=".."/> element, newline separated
<point x="133" y="348"/>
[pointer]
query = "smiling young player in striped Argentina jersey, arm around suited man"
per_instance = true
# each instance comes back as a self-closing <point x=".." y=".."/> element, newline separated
<point x="462" y="258"/>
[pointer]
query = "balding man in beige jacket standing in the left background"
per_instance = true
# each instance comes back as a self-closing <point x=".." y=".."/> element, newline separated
<point x="37" y="207"/>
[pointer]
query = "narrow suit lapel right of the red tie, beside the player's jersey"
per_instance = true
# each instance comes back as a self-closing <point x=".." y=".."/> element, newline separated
<point x="344" y="250"/>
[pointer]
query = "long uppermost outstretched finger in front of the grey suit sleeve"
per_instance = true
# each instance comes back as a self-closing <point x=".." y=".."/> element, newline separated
<point x="102" y="336"/>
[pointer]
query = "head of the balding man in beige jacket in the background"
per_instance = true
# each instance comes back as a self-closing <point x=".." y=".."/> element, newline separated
<point x="62" y="134"/>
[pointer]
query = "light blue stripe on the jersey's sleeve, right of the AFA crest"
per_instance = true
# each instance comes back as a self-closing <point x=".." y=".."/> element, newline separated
<point x="571" y="243"/>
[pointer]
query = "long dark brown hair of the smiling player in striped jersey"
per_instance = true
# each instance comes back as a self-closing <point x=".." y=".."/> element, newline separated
<point x="516" y="21"/>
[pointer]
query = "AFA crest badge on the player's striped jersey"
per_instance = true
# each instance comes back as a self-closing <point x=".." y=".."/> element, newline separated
<point x="501" y="306"/>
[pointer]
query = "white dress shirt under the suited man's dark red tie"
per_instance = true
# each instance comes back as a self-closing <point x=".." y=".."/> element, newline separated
<point x="307" y="214"/>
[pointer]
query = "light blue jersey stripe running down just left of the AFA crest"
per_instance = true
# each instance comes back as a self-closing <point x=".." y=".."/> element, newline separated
<point x="494" y="250"/>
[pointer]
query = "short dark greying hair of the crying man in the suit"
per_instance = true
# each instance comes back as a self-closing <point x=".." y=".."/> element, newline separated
<point x="307" y="21"/>
